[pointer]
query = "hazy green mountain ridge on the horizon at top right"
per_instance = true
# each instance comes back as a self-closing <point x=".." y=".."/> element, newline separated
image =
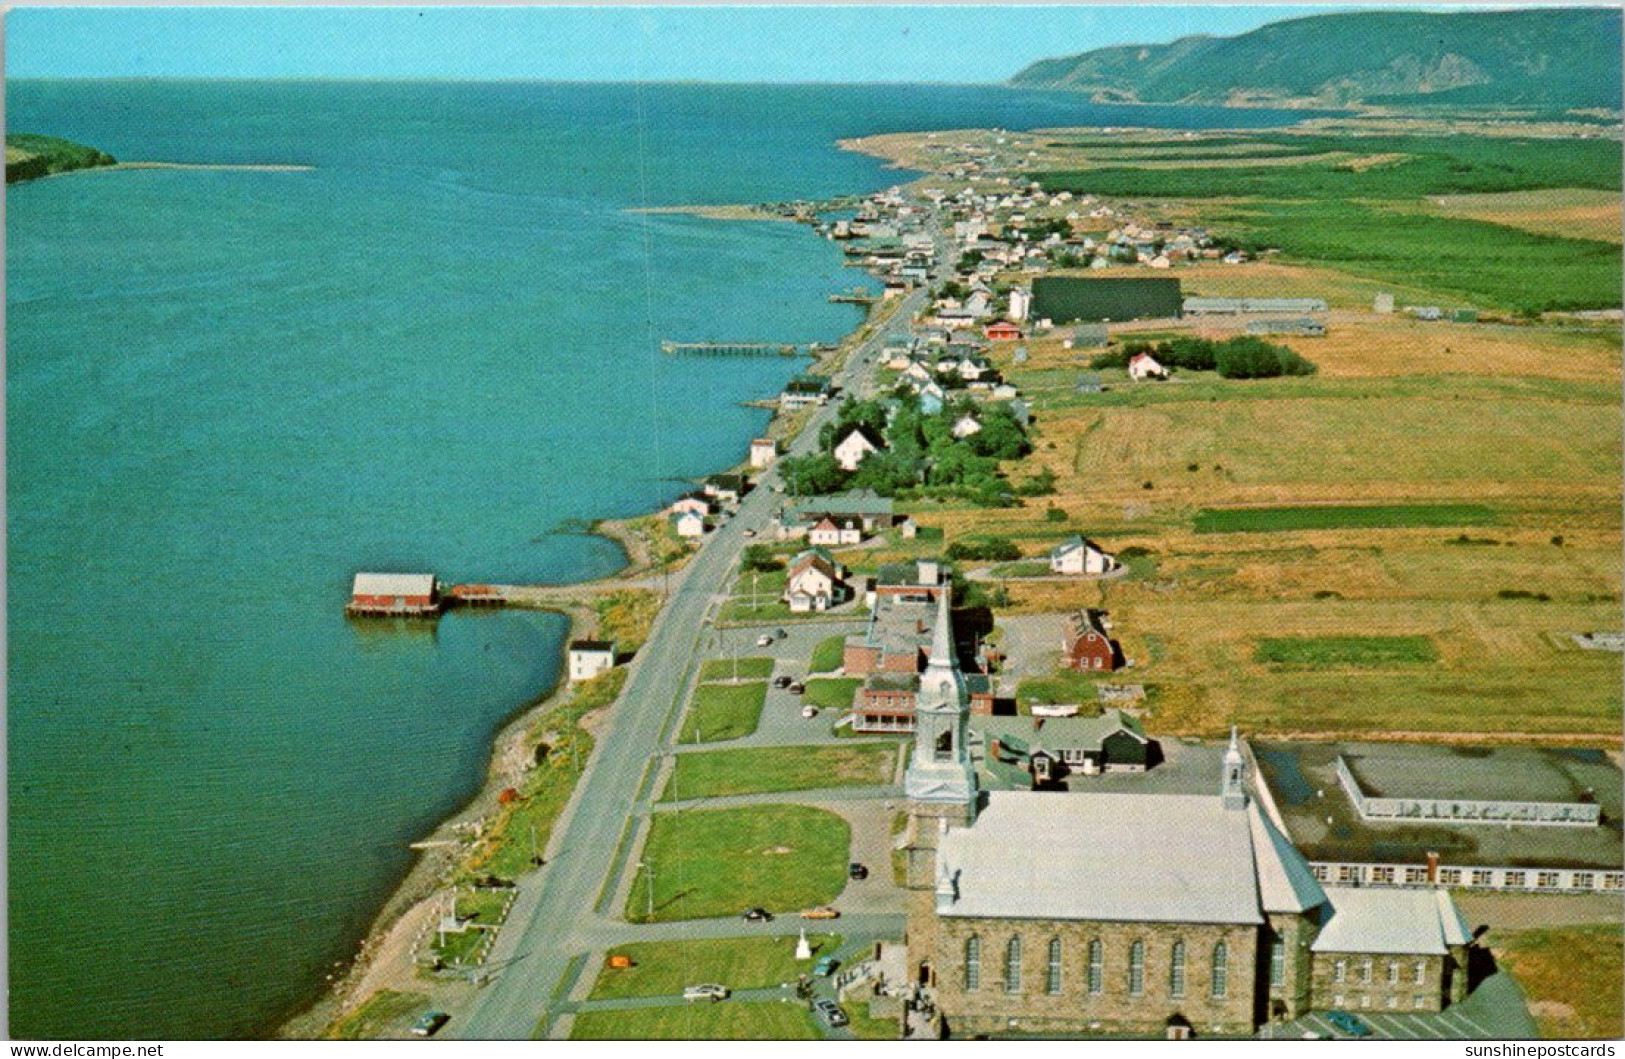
<point x="1556" y="58"/>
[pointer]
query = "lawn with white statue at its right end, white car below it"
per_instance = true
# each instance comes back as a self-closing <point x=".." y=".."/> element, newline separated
<point x="664" y="969"/>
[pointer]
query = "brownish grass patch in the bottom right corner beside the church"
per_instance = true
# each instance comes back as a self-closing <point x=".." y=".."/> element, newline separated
<point x="1571" y="977"/>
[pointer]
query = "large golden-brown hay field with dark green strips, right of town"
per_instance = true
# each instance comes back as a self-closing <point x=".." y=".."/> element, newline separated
<point x="1525" y="421"/>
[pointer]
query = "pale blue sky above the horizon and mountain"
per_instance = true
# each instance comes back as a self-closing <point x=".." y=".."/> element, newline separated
<point x="594" y="45"/>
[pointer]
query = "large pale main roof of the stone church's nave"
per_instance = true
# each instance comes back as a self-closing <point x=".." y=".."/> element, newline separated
<point x="1140" y="858"/>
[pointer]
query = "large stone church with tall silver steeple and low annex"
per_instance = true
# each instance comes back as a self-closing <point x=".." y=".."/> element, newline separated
<point x="1049" y="914"/>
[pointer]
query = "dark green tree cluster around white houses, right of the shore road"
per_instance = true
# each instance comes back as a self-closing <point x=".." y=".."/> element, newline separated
<point x="922" y="457"/>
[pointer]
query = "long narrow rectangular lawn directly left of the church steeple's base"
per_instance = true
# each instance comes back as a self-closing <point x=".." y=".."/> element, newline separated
<point x="758" y="771"/>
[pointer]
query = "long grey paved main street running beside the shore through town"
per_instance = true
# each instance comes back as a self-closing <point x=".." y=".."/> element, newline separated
<point x="558" y="907"/>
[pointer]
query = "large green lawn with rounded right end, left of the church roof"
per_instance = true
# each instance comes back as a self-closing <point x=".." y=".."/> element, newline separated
<point x="714" y="863"/>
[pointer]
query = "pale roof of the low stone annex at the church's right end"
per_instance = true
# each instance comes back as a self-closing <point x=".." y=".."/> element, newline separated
<point x="1392" y="922"/>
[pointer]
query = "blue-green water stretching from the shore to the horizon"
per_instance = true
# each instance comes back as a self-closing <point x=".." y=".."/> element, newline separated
<point x="436" y="352"/>
